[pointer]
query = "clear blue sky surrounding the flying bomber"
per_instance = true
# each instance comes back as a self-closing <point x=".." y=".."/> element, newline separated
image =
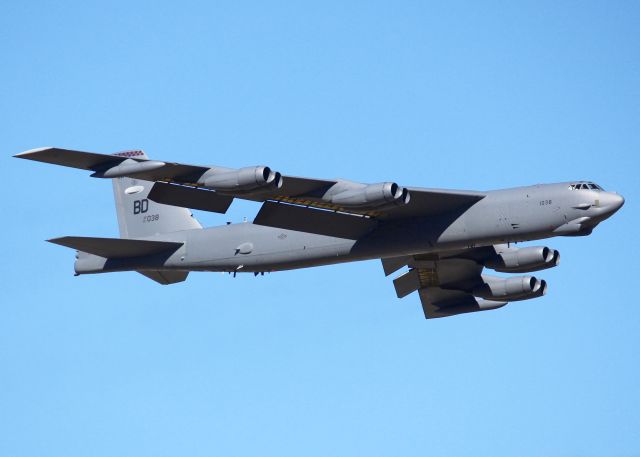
<point x="318" y="362"/>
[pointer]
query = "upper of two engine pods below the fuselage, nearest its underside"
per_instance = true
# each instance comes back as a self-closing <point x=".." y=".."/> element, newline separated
<point x="524" y="260"/>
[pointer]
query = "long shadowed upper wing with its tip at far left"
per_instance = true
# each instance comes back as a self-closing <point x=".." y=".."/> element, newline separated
<point x="190" y="186"/>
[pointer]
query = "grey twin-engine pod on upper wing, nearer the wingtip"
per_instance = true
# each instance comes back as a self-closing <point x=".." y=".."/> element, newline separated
<point x="242" y="180"/>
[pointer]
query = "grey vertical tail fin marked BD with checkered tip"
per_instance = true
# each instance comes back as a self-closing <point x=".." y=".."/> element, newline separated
<point x="140" y="217"/>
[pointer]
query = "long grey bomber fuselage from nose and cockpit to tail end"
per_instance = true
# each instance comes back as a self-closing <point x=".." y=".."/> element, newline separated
<point x="509" y="215"/>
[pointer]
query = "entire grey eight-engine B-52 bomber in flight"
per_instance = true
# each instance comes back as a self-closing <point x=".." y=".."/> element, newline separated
<point x="441" y="239"/>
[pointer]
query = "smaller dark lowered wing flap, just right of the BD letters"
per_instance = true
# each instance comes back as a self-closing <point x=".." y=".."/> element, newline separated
<point x="190" y="197"/>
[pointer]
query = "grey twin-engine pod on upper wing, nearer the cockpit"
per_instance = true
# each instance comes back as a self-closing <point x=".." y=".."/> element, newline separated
<point x="372" y="196"/>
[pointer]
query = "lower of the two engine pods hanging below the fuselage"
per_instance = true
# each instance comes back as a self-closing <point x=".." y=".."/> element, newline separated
<point x="511" y="289"/>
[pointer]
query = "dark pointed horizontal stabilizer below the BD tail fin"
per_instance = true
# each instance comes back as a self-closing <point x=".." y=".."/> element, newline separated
<point x="116" y="248"/>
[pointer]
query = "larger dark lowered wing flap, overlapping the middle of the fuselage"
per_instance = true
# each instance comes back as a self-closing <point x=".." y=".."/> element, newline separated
<point x="310" y="220"/>
